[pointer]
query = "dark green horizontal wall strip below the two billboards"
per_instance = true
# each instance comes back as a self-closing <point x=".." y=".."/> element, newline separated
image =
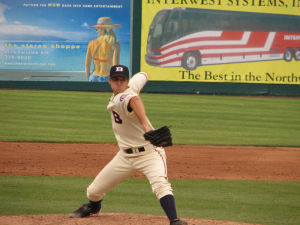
<point x="166" y="87"/>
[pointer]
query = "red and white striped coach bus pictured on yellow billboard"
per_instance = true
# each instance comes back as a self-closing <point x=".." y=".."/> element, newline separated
<point x="191" y="37"/>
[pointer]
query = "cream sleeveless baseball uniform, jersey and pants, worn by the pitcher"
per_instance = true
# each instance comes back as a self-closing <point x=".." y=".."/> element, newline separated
<point x="135" y="154"/>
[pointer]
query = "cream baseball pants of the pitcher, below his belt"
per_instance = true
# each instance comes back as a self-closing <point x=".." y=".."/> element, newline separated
<point x="152" y="163"/>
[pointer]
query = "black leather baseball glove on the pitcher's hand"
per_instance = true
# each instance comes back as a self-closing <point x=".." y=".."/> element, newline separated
<point x="160" y="137"/>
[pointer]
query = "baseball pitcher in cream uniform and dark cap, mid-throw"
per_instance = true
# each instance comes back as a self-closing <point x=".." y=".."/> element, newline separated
<point x="140" y="147"/>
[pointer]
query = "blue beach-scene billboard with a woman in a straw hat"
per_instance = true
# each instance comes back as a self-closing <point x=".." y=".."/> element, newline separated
<point x="65" y="40"/>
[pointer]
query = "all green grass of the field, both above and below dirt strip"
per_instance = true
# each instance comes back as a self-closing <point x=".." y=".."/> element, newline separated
<point x="60" y="116"/>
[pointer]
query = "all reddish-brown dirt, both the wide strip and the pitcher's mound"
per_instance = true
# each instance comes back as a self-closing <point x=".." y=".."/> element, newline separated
<point x="184" y="162"/>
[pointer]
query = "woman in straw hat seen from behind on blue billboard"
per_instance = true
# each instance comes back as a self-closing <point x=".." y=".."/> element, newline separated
<point x="103" y="51"/>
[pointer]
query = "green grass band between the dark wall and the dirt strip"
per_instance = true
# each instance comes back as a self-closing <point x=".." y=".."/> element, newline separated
<point x="60" y="116"/>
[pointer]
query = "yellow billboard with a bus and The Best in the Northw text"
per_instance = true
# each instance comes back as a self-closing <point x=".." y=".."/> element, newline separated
<point x="221" y="41"/>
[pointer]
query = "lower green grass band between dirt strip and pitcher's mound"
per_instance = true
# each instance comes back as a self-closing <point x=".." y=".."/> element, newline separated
<point x="260" y="202"/>
